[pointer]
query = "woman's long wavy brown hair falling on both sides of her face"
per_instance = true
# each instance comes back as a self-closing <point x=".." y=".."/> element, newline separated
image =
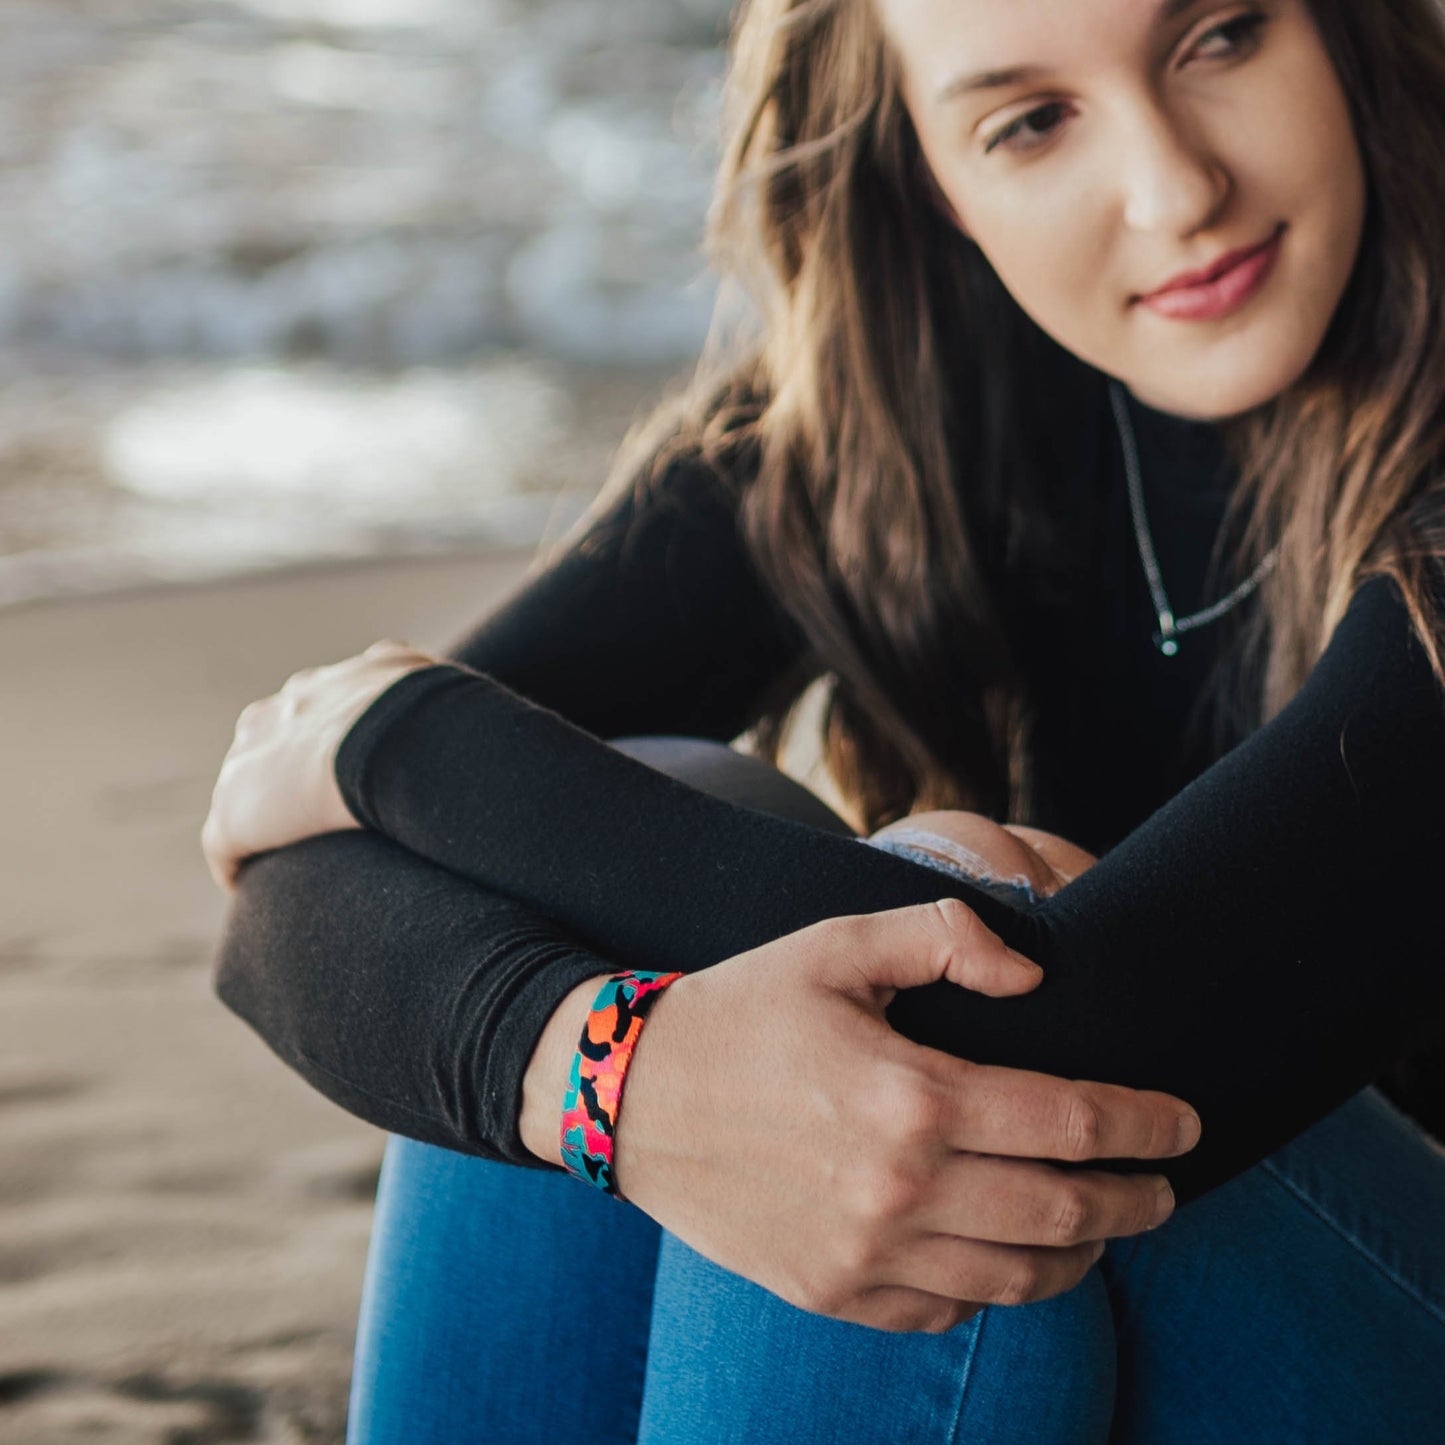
<point x="894" y="478"/>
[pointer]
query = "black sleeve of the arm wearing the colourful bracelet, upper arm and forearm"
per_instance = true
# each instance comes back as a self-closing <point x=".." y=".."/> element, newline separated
<point x="407" y="993"/>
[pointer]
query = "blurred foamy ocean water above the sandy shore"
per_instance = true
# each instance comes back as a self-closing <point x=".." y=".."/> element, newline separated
<point x="290" y="280"/>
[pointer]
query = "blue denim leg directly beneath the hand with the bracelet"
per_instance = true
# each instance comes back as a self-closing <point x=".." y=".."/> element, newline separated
<point x="1032" y="1375"/>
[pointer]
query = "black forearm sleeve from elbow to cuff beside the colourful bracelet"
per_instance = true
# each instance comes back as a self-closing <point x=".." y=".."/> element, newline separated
<point x="400" y="991"/>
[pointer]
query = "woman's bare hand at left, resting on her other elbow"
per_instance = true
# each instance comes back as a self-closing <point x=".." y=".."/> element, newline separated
<point x="278" y="782"/>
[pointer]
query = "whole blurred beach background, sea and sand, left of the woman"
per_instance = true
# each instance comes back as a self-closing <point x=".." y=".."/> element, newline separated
<point x="316" y="319"/>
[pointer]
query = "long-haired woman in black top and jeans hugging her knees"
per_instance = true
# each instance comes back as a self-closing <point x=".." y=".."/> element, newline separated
<point x="982" y="319"/>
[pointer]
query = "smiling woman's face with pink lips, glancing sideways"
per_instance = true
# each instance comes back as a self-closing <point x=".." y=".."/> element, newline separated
<point x="1151" y="138"/>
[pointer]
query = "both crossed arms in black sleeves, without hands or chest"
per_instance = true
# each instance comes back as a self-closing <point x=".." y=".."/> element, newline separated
<point x="1262" y="947"/>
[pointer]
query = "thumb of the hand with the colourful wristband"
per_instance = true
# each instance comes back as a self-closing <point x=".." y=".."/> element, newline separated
<point x="910" y="947"/>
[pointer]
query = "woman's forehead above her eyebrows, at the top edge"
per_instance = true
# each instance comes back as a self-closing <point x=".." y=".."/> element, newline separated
<point x="940" y="40"/>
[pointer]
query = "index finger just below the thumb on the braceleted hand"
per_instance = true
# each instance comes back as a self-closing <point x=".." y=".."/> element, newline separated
<point x="1038" y="1116"/>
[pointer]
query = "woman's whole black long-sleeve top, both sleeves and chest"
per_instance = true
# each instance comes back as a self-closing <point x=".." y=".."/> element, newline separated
<point x="1261" y="936"/>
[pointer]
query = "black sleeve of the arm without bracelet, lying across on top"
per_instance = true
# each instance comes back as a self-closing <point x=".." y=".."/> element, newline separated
<point x="1261" y="947"/>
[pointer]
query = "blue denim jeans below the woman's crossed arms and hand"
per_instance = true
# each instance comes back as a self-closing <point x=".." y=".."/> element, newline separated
<point x="1303" y="1301"/>
